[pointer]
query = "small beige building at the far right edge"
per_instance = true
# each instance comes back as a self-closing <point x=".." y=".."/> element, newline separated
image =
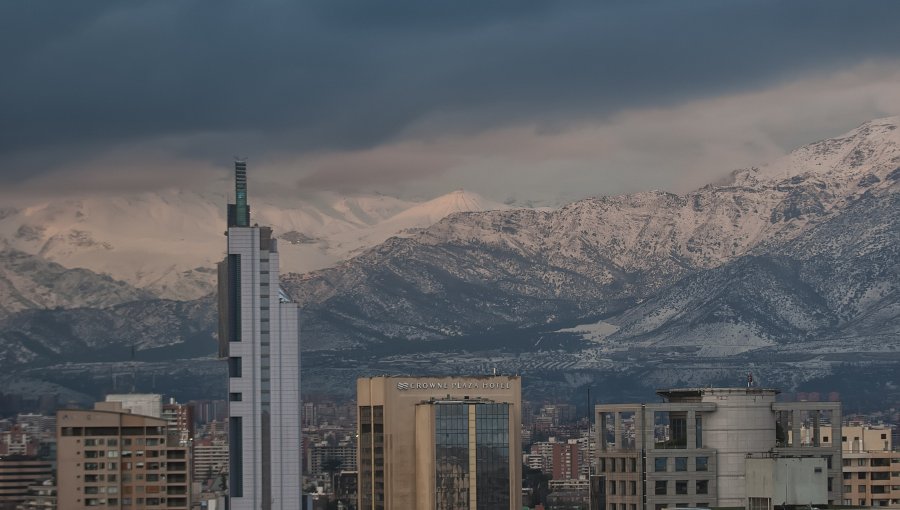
<point x="871" y="468"/>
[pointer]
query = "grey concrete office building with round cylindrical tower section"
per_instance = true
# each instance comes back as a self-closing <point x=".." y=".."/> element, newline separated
<point x="718" y="447"/>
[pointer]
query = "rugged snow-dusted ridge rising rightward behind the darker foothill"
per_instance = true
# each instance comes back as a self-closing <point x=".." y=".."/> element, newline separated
<point x="596" y="256"/>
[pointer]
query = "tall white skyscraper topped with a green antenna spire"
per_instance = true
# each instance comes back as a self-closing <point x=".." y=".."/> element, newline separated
<point x="259" y="335"/>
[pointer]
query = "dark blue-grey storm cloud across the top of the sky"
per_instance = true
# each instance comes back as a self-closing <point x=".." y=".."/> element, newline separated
<point x="296" y="77"/>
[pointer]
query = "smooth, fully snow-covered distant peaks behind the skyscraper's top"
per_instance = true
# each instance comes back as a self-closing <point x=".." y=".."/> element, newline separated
<point x="166" y="243"/>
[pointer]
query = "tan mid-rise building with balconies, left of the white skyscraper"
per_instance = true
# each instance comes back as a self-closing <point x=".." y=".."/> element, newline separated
<point x="110" y="458"/>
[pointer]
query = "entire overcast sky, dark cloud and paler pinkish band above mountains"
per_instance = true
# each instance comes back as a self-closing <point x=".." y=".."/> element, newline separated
<point x="518" y="100"/>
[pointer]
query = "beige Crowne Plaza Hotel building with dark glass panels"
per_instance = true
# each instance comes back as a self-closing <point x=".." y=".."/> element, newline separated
<point x="439" y="442"/>
